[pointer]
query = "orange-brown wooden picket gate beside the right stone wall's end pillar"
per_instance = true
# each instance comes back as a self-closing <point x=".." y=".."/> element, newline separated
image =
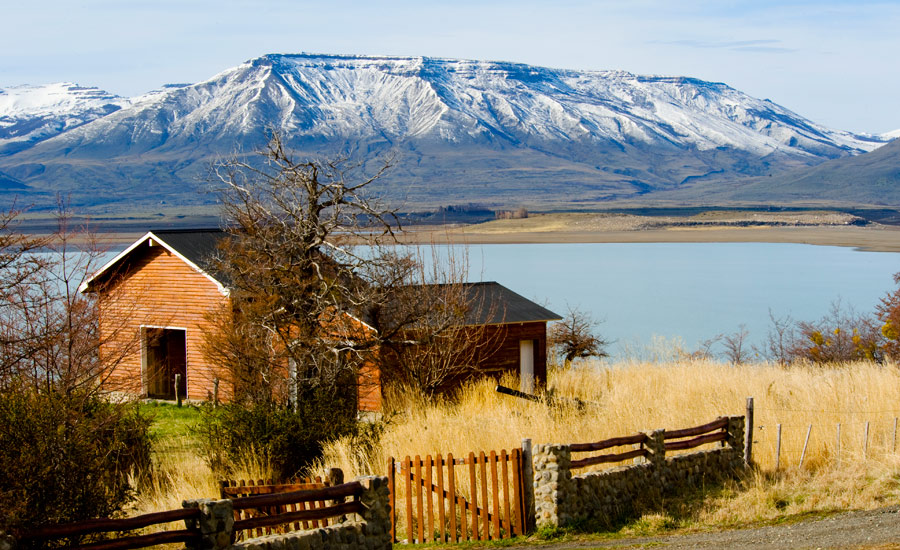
<point x="459" y="517"/>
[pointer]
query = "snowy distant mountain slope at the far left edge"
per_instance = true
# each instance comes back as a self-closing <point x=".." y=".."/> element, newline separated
<point x="29" y="114"/>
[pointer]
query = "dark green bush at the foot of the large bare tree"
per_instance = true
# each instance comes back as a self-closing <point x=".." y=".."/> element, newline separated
<point x="283" y="437"/>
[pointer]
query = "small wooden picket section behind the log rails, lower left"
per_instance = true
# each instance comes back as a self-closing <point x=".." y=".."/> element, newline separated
<point x="235" y="489"/>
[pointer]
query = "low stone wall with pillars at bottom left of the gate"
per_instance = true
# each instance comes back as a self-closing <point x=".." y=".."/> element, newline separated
<point x="370" y="530"/>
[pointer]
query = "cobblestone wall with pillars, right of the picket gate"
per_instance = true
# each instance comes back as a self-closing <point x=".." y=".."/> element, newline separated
<point x="608" y="496"/>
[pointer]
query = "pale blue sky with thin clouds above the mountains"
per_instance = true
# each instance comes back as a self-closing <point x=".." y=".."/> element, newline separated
<point x="834" y="62"/>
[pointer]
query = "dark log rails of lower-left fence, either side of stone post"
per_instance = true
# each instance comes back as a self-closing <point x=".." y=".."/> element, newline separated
<point x="284" y="510"/>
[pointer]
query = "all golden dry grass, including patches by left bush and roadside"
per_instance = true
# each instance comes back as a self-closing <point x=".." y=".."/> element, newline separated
<point x="627" y="397"/>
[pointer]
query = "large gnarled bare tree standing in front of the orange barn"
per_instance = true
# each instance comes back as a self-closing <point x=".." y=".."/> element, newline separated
<point x="298" y="282"/>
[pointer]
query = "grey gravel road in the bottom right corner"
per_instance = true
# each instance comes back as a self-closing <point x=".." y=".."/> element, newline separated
<point x="874" y="529"/>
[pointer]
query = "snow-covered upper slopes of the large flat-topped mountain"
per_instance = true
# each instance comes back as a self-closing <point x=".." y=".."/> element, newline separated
<point x="324" y="97"/>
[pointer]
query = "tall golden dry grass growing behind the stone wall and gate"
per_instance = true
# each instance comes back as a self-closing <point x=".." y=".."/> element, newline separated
<point x="626" y="398"/>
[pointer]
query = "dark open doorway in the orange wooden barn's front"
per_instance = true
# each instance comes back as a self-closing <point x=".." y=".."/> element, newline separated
<point x="165" y="355"/>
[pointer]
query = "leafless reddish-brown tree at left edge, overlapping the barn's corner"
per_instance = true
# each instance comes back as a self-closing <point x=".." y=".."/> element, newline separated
<point x="50" y="332"/>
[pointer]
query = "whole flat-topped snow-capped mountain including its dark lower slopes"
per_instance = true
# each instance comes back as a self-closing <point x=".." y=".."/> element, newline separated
<point x="465" y="130"/>
